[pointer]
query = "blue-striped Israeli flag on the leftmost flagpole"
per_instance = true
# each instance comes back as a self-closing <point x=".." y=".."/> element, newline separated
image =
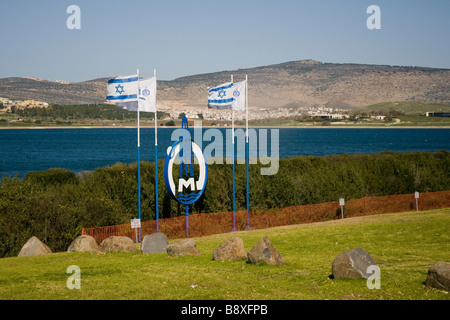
<point x="122" y="89"/>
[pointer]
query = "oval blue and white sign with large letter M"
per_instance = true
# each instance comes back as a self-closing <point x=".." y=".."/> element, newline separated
<point x="185" y="186"/>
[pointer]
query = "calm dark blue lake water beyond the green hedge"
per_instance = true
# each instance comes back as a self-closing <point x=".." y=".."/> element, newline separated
<point x="26" y="150"/>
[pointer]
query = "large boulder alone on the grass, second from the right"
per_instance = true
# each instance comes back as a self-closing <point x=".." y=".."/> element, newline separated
<point x="352" y="264"/>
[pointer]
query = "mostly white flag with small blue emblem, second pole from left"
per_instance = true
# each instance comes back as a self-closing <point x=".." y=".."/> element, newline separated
<point x="147" y="97"/>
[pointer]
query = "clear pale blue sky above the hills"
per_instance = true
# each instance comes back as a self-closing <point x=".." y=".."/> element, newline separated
<point x="181" y="38"/>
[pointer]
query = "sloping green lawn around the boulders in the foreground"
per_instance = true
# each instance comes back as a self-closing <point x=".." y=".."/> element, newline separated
<point x="404" y="245"/>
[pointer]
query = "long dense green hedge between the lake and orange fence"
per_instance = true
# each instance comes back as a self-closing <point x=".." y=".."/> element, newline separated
<point x="54" y="205"/>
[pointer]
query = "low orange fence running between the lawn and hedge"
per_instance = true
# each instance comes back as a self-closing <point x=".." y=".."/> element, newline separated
<point x="204" y="224"/>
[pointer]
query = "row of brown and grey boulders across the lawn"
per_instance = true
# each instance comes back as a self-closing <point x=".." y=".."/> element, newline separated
<point x="351" y="264"/>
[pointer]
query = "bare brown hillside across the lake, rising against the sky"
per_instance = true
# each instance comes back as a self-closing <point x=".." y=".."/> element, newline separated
<point x="297" y="83"/>
